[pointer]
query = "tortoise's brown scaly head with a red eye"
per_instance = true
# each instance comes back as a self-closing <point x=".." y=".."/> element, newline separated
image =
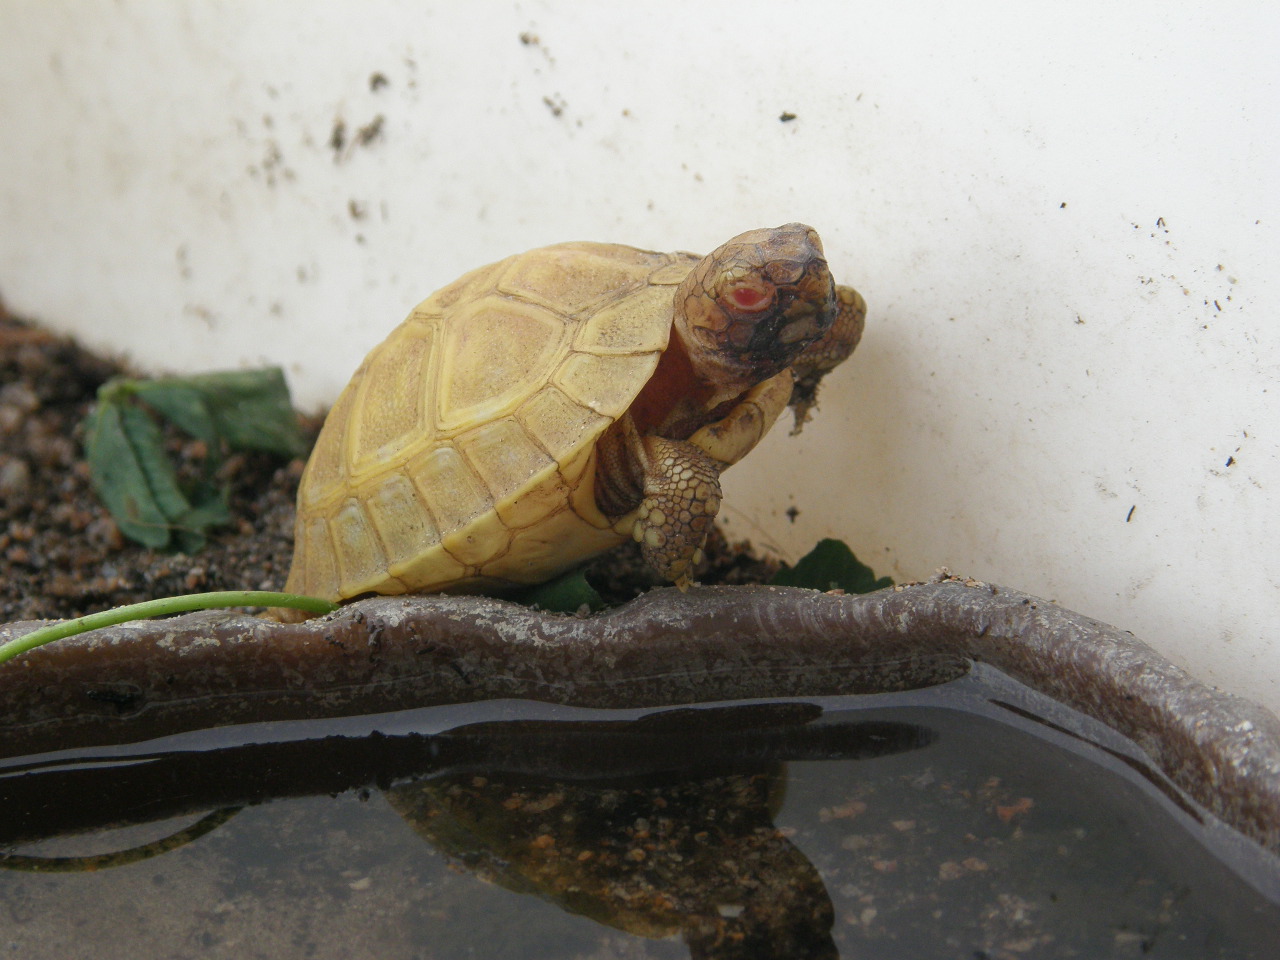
<point x="748" y="310"/>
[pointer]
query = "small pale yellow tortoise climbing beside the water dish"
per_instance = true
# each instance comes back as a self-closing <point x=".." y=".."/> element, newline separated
<point x="547" y="408"/>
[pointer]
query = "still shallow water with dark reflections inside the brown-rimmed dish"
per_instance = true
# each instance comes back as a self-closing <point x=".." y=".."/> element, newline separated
<point x="949" y="822"/>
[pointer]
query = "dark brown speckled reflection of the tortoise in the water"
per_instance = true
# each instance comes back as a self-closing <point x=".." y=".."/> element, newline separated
<point x="682" y="853"/>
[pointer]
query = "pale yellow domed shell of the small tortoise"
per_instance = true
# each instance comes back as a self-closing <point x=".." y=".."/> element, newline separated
<point x="463" y="452"/>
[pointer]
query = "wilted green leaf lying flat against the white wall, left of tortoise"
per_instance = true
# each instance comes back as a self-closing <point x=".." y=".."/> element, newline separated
<point x="249" y="409"/>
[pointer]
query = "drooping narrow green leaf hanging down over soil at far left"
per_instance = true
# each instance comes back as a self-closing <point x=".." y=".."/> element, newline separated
<point x="120" y="478"/>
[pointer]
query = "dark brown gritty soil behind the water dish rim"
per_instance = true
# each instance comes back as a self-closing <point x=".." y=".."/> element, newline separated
<point x="63" y="556"/>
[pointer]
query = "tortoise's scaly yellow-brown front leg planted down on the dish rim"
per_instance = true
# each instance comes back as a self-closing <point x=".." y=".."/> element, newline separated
<point x="682" y="499"/>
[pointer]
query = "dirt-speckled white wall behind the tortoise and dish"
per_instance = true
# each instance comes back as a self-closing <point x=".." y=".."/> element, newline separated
<point x="1063" y="217"/>
